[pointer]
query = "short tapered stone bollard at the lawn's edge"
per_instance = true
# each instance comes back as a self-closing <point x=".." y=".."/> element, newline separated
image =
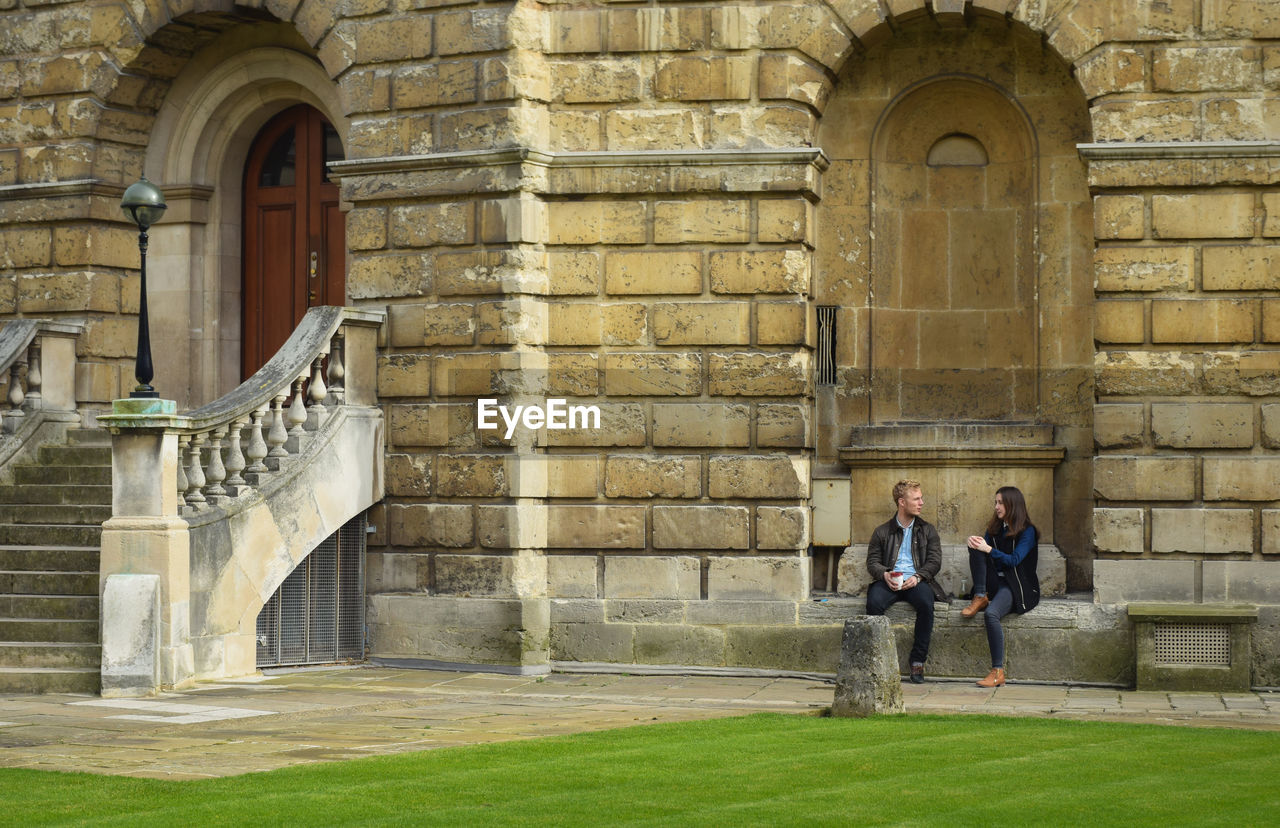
<point x="867" y="680"/>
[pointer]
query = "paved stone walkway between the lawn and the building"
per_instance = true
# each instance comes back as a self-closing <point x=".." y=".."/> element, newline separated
<point x="303" y="717"/>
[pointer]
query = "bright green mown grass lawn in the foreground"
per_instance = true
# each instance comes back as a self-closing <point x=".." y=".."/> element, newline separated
<point x="760" y="770"/>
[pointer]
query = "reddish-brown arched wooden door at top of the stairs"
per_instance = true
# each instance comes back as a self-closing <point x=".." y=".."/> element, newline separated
<point x="295" y="236"/>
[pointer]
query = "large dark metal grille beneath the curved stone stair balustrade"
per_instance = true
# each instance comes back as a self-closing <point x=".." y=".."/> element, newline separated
<point x="318" y="615"/>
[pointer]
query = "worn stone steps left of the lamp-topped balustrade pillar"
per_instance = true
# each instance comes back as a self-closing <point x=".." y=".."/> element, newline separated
<point x="51" y="537"/>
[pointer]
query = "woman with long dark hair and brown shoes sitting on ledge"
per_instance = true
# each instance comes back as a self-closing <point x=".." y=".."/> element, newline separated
<point x="1003" y="565"/>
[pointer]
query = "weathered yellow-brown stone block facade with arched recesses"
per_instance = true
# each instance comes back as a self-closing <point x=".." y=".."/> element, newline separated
<point x="778" y="245"/>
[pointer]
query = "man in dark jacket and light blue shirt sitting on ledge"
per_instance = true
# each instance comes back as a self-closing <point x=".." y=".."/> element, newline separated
<point x="904" y="560"/>
